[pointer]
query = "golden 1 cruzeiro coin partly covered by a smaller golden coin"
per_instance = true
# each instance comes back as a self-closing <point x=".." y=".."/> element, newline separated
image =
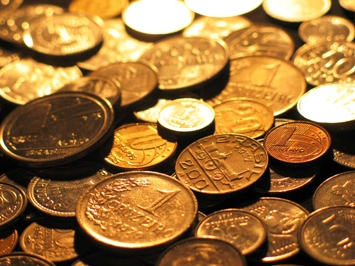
<point x="275" y="82"/>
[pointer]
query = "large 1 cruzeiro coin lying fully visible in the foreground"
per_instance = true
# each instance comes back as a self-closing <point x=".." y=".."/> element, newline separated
<point x="137" y="210"/>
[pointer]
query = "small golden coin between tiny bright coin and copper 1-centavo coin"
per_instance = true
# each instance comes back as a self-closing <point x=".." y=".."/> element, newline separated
<point x="243" y="116"/>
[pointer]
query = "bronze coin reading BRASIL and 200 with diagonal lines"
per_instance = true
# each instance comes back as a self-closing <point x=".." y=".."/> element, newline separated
<point x="221" y="164"/>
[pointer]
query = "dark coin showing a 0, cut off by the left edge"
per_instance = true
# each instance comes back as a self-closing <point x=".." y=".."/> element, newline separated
<point x="13" y="202"/>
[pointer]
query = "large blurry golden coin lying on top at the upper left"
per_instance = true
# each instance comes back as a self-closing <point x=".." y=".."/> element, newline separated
<point x="64" y="35"/>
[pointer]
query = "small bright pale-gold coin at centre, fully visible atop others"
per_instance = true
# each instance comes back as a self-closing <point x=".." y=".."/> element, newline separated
<point x="186" y="116"/>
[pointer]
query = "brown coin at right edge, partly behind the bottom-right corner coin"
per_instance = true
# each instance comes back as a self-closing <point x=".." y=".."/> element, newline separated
<point x="335" y="191"/>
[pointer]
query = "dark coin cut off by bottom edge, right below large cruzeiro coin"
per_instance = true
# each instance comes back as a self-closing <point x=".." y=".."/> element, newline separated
<point x="202" y="251"/>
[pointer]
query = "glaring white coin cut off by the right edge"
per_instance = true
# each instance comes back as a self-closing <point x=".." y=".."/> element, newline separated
<point x="329" y="105"/>
